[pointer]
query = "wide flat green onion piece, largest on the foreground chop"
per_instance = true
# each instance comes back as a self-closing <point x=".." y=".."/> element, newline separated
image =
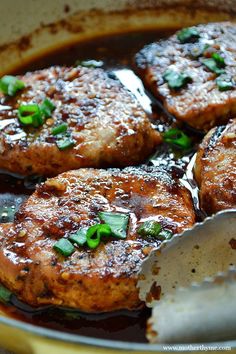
<point x="118" y="223"/>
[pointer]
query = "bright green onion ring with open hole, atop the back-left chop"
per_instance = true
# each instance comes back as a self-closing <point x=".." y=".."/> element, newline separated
<point x="30" y="114"/>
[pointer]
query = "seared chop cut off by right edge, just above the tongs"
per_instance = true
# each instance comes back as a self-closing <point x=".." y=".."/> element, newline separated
<point x="215" y="169"/>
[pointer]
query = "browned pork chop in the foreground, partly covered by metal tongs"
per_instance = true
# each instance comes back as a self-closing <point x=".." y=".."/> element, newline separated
<point x="93" y="280"/>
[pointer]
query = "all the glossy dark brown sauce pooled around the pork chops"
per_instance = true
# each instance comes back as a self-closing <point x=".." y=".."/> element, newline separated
<point x="112" y="53"/>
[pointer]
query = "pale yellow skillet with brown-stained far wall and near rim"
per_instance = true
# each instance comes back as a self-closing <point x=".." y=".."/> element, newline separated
<point x="31" y="29"/>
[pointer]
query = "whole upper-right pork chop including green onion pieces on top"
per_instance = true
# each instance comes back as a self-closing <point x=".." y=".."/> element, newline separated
<point x="200" y="102"/>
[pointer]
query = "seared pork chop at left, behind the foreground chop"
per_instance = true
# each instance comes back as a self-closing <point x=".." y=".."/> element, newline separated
<point x="105" y="122"/>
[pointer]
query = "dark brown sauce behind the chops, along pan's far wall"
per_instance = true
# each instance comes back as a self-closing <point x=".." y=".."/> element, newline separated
<point x="116" y="51"/>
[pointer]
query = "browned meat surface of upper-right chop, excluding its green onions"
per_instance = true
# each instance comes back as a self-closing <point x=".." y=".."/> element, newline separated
<point x="200" y="103"/>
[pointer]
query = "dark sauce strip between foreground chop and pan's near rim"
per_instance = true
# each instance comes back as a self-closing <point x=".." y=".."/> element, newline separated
<point x="122" y="325"/>
